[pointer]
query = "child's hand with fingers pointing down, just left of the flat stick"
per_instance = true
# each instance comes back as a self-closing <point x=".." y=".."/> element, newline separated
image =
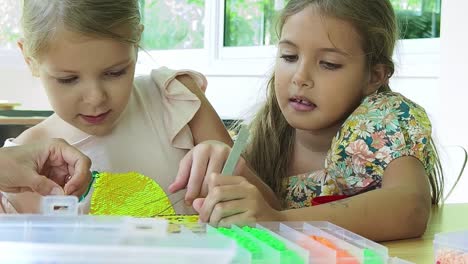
<point x="205" y="158"/>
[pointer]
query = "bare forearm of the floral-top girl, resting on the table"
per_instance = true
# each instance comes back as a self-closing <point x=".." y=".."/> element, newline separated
<point x="384" y="214"/>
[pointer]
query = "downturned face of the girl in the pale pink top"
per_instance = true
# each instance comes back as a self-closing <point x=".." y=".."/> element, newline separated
<point x="88" y="80"/>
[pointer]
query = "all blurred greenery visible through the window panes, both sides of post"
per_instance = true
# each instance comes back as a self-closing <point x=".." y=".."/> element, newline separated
<point x="179" y="24"/>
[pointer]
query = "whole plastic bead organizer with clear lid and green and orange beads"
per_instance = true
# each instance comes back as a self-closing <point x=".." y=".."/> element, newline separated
<point x="60" y="235"/>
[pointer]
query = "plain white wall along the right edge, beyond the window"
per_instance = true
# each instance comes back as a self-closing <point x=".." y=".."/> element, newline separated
<point x="453" y="89"/>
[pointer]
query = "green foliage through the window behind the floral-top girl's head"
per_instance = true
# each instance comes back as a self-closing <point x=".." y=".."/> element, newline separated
<point x="253" y="22"/>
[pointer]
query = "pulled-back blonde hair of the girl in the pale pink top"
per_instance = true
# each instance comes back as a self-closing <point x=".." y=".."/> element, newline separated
<point x="42" y="19"/>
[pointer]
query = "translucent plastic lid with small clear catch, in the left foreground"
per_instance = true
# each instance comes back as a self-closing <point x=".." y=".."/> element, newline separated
<point x="62" y="236"/>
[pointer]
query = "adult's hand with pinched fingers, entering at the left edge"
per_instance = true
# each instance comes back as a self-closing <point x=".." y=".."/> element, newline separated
<point x="52" y="167"/>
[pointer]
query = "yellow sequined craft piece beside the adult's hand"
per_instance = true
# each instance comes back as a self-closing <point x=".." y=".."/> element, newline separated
<point x="129" y="194"/>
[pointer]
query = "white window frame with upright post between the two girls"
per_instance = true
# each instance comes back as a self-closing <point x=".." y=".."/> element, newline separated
<point x="421" y="56"/>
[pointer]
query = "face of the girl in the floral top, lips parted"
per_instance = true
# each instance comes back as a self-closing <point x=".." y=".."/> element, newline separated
<point x="320" y="73"/>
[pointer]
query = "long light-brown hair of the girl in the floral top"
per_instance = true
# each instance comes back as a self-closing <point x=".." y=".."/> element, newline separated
<point x="272" y="138"/>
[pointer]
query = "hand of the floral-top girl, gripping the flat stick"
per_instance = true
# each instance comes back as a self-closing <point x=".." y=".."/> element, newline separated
<point x="233" y="200"/>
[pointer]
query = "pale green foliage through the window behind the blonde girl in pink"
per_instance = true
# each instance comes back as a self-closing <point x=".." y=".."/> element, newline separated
<point x="169" y="24"/>
